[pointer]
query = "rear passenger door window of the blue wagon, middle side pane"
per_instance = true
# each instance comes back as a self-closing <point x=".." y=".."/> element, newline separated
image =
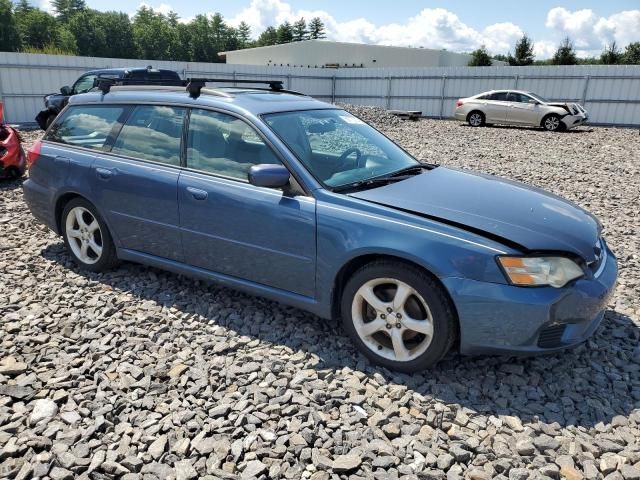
<point x="152" y="132"/>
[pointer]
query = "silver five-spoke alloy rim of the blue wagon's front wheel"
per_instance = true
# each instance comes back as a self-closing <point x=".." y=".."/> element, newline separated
<point x="392" y="319"/>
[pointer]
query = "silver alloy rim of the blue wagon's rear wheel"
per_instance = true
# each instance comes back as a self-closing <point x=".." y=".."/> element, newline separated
<point x="84" y="235"/>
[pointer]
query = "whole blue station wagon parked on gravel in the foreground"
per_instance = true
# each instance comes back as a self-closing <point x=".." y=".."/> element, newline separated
<point x="297" y="200"/>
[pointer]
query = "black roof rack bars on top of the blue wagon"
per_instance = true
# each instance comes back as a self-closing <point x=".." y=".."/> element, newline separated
<point x="193" y="85"/>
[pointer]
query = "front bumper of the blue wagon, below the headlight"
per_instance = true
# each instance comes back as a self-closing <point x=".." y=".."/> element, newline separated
<point x="503" y="319"/>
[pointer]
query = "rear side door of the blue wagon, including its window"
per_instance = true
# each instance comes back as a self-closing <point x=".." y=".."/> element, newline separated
<point x="136" y="181"/>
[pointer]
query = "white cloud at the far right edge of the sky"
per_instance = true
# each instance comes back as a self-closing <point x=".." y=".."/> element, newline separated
<point x="591" y="33"/>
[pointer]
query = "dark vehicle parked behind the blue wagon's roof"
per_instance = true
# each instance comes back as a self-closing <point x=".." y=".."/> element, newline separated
<point x="55" y="102"/>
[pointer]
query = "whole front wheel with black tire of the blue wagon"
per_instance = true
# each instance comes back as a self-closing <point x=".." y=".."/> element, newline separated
<point x="384" y="333"/>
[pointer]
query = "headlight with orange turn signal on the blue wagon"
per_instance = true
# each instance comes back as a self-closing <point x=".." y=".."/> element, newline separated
<point x="535" y="271"/>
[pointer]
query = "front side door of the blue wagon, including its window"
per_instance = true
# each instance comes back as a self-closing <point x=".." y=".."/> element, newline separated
<point x="229" y="226"/>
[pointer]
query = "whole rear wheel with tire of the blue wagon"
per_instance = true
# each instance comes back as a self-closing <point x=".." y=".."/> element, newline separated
<point x="91" y="238"/>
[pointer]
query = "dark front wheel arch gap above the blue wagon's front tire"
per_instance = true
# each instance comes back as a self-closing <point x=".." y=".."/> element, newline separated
<point x="355" y="263"/>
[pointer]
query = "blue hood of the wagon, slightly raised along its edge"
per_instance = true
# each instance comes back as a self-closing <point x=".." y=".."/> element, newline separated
<point x="510" y="211"/>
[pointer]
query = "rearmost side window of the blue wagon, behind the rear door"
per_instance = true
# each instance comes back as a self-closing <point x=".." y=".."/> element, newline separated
<point x="86" y="126"/>
